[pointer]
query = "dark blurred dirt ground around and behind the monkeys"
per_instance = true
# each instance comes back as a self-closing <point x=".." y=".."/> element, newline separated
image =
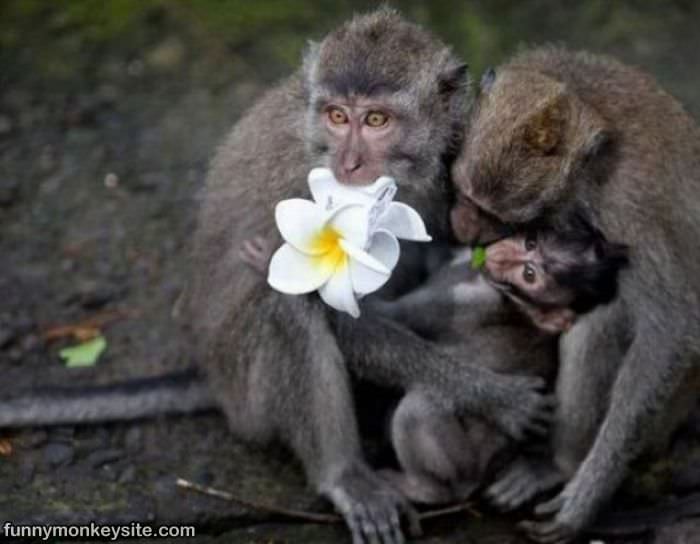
<point x="105" y="132"/>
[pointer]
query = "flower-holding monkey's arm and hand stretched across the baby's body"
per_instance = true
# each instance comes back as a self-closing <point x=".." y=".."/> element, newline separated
<point x="388" y="354"/>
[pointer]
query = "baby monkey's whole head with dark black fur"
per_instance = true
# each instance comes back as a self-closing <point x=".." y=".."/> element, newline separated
<point x="554" y="277"/>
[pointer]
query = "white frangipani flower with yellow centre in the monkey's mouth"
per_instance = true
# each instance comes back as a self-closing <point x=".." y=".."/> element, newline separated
<point x="344" y="244"/>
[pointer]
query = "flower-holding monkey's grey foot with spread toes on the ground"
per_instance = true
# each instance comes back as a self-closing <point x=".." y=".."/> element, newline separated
<point x="371" y="507"/>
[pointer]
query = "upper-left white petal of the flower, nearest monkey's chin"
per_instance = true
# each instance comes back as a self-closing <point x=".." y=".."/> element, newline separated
<point x="299" y="222"/>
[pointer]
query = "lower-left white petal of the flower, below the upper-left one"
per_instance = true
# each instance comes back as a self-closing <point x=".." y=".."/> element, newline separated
<point x="295" y="273"/>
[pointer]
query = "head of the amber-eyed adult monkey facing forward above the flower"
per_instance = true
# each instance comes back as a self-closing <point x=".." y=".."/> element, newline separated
<point x="385" y="98"/>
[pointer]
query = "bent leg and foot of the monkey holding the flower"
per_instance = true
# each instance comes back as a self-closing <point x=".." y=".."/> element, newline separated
<point x="289" y="382"/>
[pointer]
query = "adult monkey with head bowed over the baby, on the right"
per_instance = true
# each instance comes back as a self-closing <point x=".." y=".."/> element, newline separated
<point x="554" y="134"/>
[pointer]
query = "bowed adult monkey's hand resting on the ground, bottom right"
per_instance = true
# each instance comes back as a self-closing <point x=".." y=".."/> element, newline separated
<point x="572" y="512"/>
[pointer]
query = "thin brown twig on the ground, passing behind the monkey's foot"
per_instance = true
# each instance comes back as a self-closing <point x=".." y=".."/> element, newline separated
<point x="311" y="516"/>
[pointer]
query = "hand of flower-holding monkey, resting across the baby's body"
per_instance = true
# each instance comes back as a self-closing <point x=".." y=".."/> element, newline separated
<point x="520" y="409"/>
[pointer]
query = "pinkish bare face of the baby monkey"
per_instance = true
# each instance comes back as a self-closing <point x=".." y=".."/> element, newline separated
<point x="520" y="267"/>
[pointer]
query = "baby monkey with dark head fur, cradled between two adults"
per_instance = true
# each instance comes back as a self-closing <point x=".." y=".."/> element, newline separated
<point x="541" y="278"/>
